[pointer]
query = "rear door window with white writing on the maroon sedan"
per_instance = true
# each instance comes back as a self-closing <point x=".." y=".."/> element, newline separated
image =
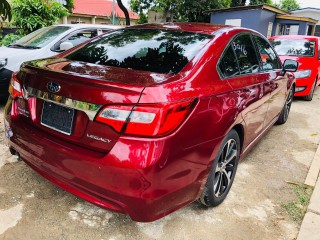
<point x="246" y="55"/>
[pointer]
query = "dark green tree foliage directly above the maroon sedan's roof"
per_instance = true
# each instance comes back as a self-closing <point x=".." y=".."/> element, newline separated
<point x="182" y="10"/>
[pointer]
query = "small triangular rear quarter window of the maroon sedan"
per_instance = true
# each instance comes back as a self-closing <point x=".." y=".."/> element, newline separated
<point x="228" y="64"/>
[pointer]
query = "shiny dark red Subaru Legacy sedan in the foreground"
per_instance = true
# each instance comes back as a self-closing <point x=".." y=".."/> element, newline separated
<point x="148" y="119"/>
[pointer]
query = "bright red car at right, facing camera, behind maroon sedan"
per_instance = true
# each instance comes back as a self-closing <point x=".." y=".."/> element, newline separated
<point x="306" y="51"/>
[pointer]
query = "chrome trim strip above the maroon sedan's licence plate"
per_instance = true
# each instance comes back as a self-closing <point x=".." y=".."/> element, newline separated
<point x="90" y="109"/>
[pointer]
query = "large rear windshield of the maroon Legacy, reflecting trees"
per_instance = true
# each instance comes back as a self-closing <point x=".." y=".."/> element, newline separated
<point x="153" y="50"/>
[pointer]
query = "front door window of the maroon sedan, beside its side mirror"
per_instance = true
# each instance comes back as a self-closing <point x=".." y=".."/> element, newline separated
<point x="269" y="58"/>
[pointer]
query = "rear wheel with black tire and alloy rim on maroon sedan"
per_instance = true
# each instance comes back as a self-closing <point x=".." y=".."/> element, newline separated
<point x="223" y="171"/>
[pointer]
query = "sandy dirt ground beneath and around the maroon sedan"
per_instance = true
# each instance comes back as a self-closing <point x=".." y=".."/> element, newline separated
<point x="33" y="208"/>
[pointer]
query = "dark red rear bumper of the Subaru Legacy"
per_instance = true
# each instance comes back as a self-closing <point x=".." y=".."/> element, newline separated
<point x="142" y="178"/>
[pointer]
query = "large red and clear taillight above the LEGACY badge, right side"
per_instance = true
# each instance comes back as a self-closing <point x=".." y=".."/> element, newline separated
<point x="146" y="119"/>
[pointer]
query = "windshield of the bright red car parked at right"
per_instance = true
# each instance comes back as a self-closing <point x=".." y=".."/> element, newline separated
<point x="294" y="47"/>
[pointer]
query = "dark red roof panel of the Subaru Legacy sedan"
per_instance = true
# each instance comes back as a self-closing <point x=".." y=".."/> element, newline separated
<point x="205" y="28"/>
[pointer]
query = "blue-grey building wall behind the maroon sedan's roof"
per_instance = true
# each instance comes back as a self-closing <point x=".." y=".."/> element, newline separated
<point x="256" y="19"/>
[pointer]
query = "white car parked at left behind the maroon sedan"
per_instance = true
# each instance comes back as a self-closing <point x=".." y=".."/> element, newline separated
<point x="43" y="43"/>
